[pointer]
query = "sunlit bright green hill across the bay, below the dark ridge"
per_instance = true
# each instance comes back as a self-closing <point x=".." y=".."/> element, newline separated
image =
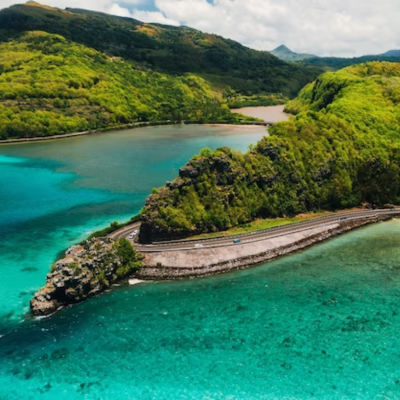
<point x="51" y="86"/>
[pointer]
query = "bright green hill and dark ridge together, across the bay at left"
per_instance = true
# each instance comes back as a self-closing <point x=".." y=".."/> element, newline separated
<point x="67" y="71"/>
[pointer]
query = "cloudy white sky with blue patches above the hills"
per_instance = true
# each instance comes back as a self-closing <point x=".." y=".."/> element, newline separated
<point x="341" y="28"/>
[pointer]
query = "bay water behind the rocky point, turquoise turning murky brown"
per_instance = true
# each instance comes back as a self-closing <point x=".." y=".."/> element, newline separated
<point x="54" y="193"/>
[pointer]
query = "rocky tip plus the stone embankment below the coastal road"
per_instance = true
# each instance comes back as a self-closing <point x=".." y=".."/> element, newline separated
<point x="93" y="267"/>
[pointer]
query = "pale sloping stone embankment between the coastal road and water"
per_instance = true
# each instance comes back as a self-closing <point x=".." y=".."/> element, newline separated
<point x="210" y="261"/>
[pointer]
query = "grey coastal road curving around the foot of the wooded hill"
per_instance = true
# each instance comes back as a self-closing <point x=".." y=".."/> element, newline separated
<point x="225" y="241"/>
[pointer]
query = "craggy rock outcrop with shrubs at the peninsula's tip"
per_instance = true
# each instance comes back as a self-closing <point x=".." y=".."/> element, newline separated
<point x="85" y="271"/>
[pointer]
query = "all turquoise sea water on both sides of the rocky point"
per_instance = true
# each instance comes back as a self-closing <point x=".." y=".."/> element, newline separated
<point x="320" y="324"/>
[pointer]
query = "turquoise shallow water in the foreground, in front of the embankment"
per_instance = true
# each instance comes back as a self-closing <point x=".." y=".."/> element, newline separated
<point x="319" y="324"/>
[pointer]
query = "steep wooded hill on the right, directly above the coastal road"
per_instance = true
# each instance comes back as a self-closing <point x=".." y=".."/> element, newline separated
<point x="341" y="149"/>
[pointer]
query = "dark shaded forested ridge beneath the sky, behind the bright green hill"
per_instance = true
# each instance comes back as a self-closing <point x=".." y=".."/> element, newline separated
<point x="169" y="49"/>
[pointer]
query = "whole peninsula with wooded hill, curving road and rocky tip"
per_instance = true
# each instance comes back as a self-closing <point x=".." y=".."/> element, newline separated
<point x="341" y="150"/>
